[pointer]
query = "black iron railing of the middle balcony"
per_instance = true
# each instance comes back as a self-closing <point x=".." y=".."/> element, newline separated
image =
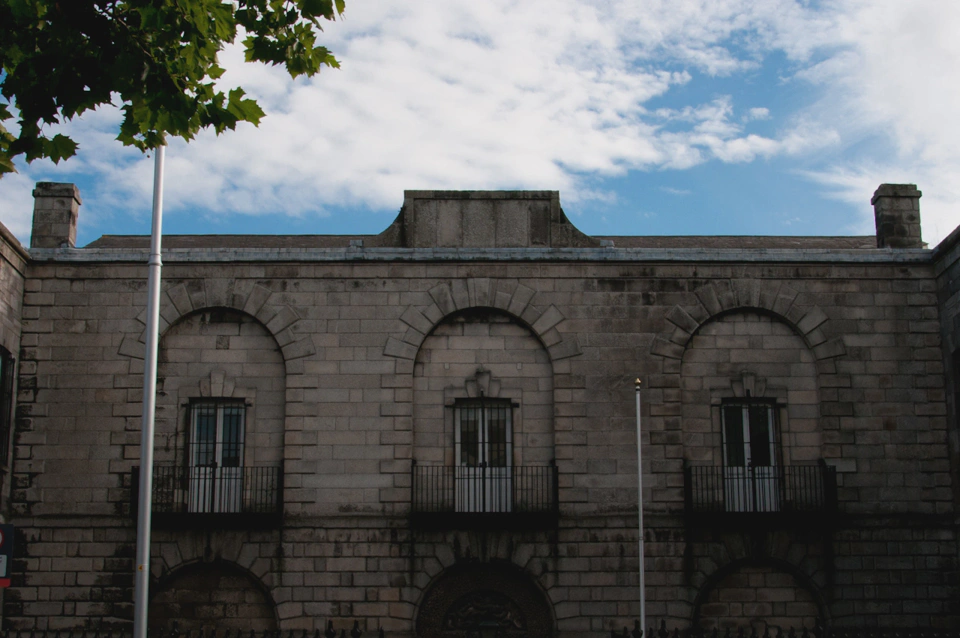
<point x="474" y="496"/>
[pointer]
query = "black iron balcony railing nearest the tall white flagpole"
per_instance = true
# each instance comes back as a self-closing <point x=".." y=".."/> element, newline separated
<point x="245" y="495"/>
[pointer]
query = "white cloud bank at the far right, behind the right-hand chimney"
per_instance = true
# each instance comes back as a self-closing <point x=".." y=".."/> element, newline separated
<point x="896" y="81"/>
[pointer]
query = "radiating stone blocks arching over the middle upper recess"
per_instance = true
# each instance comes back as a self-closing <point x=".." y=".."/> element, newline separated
<point x="511" y="297"/>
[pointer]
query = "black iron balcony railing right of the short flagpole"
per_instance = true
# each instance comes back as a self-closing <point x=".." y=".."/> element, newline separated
<point x="799" y="489"/>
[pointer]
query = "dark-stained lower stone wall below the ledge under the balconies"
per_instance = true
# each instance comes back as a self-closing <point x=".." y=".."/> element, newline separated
<point x="79" y="573"/>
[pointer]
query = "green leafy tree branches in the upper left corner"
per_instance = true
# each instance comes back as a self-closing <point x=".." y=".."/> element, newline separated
<point x="157" y="59"/>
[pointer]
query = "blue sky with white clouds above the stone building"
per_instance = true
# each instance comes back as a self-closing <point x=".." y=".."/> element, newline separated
<point x="661" y="117"/>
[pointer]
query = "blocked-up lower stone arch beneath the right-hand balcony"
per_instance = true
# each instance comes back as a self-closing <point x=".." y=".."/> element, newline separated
<point x="760" y="593"/>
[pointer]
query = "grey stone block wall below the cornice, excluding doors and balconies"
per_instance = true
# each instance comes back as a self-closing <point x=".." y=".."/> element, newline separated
<point x="364" y="355"/>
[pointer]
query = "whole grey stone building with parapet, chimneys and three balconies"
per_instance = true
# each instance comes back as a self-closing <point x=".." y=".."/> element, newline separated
<point x="434" y="427"/>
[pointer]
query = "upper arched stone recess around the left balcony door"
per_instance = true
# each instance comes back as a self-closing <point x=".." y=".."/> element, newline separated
<point x="221" y="357"/>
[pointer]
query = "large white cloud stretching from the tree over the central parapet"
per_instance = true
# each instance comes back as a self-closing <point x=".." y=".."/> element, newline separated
<point x="452" y="95"/>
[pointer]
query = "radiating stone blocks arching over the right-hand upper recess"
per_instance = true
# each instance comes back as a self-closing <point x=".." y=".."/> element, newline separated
<point x="775" y="299"/>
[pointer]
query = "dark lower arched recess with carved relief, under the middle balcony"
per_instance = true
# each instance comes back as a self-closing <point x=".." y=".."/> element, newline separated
<point x="466" y="595"/>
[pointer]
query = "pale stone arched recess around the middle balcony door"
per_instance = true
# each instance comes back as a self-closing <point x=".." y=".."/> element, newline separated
<point x="483" y="352"/>
